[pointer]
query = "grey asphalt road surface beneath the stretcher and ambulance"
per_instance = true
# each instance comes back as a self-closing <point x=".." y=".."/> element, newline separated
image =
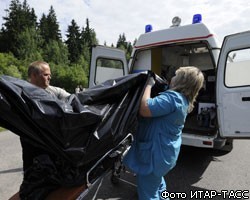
<point x="199" y="174"/>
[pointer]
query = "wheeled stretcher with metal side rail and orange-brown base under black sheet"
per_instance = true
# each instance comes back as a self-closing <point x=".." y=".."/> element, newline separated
<point x="109" y="164"/>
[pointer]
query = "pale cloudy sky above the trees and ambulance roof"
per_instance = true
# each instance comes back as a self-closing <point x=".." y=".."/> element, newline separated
<point x="111" y="18"/>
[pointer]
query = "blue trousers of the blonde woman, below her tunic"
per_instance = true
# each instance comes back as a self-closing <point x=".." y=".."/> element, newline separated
<point x="149" y="187"/>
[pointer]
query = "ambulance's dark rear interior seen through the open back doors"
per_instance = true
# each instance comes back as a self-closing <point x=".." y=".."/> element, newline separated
<point x="165" y="60"/>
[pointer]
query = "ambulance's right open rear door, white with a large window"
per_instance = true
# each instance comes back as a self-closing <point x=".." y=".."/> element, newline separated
<point x="233" y="86"/>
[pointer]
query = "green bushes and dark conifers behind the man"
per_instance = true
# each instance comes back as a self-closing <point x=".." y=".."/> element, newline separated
<point x="24" y="38"/>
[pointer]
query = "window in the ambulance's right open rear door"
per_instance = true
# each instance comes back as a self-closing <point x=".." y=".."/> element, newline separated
<point x="238" y="68"/>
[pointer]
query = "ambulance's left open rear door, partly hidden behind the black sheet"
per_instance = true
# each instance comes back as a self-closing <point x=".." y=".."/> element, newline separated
<point x="106" y="63"/>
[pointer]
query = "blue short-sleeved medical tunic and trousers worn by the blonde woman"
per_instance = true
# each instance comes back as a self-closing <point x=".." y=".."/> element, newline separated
<point x="156" y="147"/>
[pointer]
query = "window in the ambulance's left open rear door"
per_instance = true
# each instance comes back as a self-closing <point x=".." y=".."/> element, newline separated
<point x="108" y="69"/>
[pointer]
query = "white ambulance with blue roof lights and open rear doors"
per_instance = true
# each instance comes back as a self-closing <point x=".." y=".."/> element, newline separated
<point x="222" y="110"/>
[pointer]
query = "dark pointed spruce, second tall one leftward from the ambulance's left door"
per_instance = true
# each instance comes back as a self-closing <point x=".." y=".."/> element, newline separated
<point x="74" y="42"/>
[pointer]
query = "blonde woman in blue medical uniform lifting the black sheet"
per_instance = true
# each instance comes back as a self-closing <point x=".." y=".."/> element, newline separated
<point x="156" y="147"/>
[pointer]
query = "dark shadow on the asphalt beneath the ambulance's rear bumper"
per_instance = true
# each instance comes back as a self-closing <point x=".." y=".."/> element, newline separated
<point x="190" y="167"/>
